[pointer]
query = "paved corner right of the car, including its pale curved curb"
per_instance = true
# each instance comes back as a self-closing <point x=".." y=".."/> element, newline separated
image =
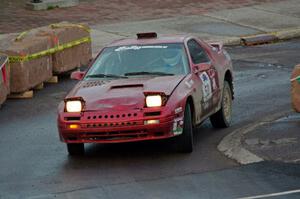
<point x="276" y="138"/>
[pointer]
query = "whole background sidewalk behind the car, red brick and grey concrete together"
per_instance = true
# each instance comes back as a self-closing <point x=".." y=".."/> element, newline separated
<point x="225" y="20"/>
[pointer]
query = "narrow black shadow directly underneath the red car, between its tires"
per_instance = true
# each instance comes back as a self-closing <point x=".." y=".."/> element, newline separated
<point x="145" y="149"/>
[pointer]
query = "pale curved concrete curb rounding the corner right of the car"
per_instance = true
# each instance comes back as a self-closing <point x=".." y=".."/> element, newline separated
<point x="231" y="145"/>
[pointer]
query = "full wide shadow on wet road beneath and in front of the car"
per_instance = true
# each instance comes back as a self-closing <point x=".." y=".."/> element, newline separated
<point x="147" y="160"/>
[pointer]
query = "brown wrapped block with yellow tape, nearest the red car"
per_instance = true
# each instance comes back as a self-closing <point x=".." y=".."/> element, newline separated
<point x="75" y="42"/>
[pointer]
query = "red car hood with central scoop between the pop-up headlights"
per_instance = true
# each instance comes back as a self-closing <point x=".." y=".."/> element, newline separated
<point x="122" y="94"/>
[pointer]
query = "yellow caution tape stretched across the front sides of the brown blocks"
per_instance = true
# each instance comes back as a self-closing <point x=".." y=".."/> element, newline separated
<point x="14" y="59"/>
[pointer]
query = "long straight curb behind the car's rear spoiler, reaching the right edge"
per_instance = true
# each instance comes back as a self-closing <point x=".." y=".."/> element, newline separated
<point x="264" y="38"/>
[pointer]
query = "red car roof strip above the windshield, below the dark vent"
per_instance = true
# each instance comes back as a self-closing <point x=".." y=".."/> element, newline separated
<point x="155" y="40"/>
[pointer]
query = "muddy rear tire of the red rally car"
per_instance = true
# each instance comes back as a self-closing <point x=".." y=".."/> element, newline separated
<point x="222" y="118"/>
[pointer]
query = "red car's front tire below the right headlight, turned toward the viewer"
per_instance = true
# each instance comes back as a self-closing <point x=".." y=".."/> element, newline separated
<point x="184" y="142"/>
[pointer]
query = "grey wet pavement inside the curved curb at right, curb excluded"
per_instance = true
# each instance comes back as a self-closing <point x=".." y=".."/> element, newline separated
<point x="278" y="140"/>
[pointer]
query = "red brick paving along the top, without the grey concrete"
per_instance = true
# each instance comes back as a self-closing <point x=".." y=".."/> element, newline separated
<point x="15" y="18"/>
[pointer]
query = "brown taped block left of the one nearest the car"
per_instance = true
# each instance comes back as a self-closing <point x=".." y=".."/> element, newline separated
<point x="28" y="68"/>
